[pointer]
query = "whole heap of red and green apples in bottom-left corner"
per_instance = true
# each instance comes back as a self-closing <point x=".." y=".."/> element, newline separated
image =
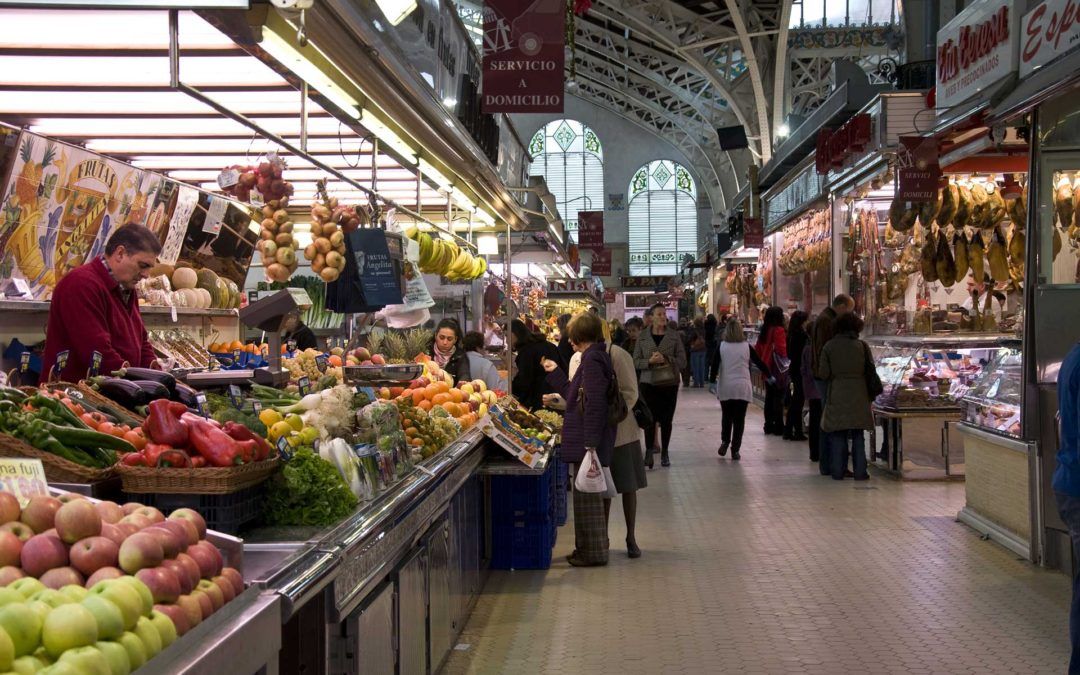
<point x="102" y="588"/>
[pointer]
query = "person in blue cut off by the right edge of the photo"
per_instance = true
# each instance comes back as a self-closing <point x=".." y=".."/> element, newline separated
<point x="1066" y="481"/>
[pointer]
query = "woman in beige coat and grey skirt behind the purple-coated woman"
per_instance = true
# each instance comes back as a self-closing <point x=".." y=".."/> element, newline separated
<point x="628" y="463"/>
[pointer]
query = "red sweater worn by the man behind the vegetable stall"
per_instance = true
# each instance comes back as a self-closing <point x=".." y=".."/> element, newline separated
<point x="89" y="315"/>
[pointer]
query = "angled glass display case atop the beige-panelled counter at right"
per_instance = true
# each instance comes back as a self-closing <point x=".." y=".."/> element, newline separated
<point x="994" y="401"/>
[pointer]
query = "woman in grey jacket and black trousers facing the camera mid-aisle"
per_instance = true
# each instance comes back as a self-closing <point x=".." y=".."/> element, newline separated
<point x="661" y="357"/>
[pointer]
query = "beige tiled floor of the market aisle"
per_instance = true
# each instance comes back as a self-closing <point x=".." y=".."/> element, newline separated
<point x="763" y="566"/>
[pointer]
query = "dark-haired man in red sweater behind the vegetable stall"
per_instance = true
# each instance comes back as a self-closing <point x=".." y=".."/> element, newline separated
<point x="96" y="309"/>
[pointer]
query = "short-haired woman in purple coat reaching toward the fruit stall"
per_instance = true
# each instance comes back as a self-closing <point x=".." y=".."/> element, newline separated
<point x="586" y="428"/>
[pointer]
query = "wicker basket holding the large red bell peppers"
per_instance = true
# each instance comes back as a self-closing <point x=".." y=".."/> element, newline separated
<point x="202" y="481"/>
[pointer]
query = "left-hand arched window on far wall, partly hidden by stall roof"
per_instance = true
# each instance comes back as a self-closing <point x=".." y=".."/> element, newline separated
<point x="569" y="155"/>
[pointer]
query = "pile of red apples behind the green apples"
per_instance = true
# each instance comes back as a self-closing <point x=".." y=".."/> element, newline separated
<point x="71" y="542"/>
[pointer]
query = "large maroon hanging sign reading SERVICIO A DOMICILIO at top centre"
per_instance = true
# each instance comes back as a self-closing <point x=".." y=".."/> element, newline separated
<point x="523" y="57"/>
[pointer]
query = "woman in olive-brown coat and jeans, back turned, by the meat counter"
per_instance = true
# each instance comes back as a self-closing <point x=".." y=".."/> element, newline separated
<point x="848" y="408"/>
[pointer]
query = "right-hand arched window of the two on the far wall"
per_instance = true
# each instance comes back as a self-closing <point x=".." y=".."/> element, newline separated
<point x="664" y="219"/>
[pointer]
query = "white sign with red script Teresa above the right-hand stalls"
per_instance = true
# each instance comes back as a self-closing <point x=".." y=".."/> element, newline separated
<point x="976" y="50"/>
